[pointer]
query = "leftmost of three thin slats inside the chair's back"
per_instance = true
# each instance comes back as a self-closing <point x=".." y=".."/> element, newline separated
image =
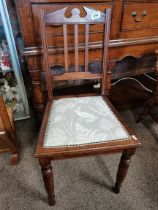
<point x="65" y="47"/>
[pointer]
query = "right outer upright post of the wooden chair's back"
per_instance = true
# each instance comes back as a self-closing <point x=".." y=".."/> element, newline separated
<point x="105" y="77"/>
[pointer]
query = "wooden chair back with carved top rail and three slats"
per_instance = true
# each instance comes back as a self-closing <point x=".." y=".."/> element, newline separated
<point x="58" y="18"/>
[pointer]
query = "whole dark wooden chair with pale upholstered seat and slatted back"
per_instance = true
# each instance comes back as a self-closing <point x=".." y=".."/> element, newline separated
<point x="79" y="126"/>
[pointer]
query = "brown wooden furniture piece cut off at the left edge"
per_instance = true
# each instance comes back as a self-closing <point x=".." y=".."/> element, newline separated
<point x="8" y="140"/>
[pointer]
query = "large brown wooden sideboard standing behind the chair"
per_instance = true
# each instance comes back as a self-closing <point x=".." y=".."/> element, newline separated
<point x="134" y="32"/>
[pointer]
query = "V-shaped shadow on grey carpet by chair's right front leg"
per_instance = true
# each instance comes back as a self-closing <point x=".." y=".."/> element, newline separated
<point x="95" y="180"/>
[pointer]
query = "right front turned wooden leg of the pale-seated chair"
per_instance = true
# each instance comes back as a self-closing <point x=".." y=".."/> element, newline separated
<point x="123" y="168"/>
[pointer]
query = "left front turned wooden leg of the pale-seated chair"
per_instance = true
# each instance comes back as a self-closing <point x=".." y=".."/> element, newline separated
<point x="48" y="179"/>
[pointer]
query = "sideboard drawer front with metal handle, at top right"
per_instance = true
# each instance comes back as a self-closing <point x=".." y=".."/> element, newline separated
<point x="139" y="16"/>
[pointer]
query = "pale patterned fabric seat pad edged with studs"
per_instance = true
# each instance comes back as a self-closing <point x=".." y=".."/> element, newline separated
<point x="82" y="120"/>
